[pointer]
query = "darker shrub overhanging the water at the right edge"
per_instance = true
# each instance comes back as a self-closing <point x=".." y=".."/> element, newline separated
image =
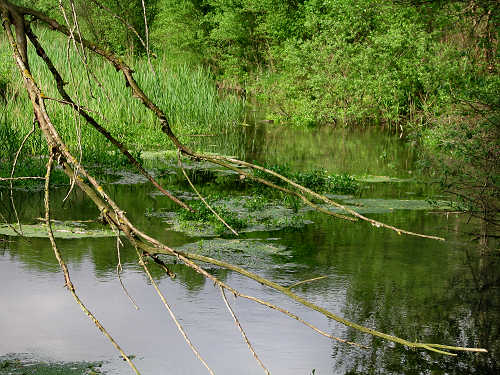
<point x="462" y="150"/>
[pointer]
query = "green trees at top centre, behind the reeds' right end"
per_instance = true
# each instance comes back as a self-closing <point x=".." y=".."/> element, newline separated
<point x="233" y="37"/>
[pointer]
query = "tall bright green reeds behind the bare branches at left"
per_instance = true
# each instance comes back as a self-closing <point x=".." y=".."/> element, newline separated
<point x="186" y="94"/>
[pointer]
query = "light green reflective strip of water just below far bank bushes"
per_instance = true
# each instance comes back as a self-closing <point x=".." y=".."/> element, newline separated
<point x="353" y="151"/>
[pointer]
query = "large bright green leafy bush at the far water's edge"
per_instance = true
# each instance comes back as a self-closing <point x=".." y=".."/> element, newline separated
<point x="363" y="62"/>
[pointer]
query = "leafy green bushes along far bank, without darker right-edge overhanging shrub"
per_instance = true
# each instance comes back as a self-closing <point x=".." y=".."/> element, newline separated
<point x="337" y="61"/>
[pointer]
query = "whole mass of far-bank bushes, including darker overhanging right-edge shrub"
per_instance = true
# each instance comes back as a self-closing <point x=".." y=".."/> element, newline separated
<point x="428" y="69"/>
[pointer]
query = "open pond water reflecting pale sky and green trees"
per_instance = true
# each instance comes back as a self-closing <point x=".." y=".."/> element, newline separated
<point x="419" y="289"/>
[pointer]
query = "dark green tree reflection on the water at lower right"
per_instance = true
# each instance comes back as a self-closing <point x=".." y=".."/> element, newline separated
<point x="419" y="290"/>
